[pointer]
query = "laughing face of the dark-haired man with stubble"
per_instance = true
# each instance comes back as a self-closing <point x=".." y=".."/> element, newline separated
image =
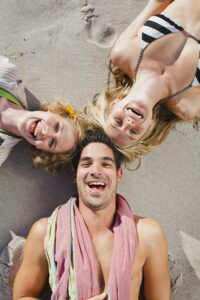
<point x="97" y="176"/>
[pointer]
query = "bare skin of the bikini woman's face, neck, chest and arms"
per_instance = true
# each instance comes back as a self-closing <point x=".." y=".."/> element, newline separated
<point x="169" y="68"/>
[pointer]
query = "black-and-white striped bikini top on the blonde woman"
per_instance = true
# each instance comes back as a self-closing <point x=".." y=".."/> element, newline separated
<point x="156" y="27"/>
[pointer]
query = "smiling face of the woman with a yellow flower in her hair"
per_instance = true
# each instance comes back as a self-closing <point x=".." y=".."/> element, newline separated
<point x="48" y="131"/>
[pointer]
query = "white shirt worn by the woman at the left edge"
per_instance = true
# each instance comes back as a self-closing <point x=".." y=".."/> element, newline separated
<point x="10" y="81"/>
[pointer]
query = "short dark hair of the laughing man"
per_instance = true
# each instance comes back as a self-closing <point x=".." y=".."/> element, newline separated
<point x="97" y="136"/>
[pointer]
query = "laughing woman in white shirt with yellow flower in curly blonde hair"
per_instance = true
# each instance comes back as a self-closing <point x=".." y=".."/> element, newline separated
<point x="51" y="131"/>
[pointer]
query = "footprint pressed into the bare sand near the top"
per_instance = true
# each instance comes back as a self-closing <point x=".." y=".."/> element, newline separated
<point x="100" y="34"/>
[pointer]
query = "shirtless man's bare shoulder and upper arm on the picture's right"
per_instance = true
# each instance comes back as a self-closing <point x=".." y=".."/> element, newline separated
<point x="152" y="246"/>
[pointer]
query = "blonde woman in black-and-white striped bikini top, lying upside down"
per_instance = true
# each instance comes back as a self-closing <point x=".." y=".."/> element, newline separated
<point x="159" y="52"/>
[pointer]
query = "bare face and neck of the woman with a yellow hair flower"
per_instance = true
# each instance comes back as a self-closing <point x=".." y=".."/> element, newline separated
<point x="43" y="129"/>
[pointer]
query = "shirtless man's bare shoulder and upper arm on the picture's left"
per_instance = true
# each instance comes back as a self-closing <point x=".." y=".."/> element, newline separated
<point x="33" y="271"/>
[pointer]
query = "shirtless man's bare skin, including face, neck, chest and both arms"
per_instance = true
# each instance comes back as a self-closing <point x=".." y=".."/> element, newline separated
<point x="151" y="251"/>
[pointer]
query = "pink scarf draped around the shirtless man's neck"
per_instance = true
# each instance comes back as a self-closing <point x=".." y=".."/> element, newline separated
<point x="72" y="235"/>
